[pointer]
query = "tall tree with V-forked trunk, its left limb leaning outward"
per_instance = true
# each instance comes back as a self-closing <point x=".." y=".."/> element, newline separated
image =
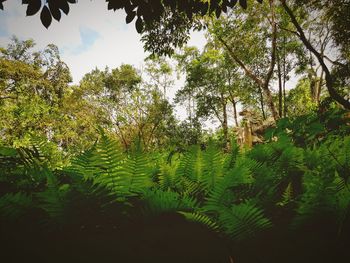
<point x="252" y="28"/>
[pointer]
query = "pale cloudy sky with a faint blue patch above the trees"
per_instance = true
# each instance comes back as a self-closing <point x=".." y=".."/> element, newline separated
<point x="90" y="36"/>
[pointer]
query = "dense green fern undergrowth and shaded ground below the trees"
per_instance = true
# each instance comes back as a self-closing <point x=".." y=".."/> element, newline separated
<point x="284" y="200"/>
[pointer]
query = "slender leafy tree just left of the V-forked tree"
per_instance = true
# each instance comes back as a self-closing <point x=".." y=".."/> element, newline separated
<point x="211" y="88"/>
